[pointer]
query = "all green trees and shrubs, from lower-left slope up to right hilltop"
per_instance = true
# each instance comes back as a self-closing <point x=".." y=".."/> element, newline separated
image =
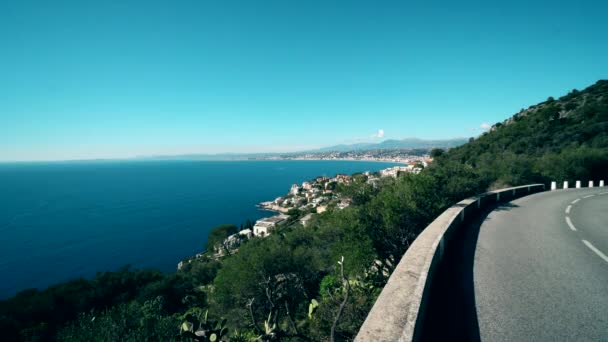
<point x="319" y="282"/>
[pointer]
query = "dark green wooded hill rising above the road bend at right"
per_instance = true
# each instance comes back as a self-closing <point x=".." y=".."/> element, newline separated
<point x="558" y="139"/>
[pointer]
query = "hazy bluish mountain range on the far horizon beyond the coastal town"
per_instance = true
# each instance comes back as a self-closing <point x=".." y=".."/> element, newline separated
<point x="409" y="143"/>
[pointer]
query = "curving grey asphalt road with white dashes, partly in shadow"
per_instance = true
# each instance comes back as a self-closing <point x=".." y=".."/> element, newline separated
<point x="534" y="269"/>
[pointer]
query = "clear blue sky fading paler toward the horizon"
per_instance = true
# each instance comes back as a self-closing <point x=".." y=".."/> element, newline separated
<point x="99" y="79"/>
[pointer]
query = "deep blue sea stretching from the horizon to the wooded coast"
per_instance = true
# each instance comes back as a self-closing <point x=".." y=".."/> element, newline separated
<point x="64" y="220"/>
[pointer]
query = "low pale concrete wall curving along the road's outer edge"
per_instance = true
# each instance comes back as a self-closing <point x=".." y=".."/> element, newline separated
<point x="399" y="311"/>
